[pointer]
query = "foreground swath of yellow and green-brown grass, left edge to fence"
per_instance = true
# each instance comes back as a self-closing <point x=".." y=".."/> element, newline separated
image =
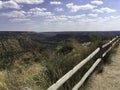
<point x="25" y="72"/>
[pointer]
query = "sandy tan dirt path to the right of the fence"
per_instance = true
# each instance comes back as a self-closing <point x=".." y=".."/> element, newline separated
<point x="109" y="79"/>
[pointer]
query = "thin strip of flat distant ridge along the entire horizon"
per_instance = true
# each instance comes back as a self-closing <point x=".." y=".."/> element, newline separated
<point x="63" y="32"/>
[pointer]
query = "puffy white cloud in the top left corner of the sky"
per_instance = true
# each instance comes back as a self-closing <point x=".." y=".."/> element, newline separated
<point x="9" y="4"/>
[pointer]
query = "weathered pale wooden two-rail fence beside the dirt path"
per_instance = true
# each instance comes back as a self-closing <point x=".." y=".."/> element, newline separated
<point x="102" y="51"/>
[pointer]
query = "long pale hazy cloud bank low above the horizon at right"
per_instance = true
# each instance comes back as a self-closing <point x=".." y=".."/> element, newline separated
<point x="105" y="23"/>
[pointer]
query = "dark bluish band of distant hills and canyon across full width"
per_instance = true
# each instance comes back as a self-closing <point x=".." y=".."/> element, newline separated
<point x="56" y="37"/>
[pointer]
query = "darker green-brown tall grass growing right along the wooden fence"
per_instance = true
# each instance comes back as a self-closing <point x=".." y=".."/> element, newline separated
<point x="60" y="64"/>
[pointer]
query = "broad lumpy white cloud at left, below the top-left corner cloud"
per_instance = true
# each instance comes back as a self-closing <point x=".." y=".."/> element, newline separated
<point x="34" y="12"/>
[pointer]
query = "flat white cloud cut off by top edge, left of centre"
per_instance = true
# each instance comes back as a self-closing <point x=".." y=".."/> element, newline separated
<point x="29" y="1"/>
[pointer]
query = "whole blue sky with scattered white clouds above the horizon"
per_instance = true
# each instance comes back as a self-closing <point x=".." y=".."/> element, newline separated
<point x="59" y="15"/>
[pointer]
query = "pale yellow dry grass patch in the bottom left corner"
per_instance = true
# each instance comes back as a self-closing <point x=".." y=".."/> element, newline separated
<point x="20" y="76"/>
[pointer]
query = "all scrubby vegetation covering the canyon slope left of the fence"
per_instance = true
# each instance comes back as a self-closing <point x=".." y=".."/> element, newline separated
<point x="27" y="61"/>
